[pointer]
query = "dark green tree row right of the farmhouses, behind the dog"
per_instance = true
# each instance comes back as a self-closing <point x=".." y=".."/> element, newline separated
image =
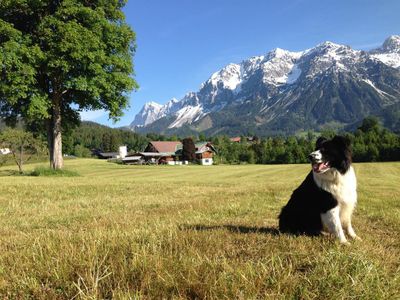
<point x="370" y="142"/>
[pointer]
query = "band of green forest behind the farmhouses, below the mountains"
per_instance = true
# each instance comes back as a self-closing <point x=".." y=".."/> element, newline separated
<point x="370" y="142"/>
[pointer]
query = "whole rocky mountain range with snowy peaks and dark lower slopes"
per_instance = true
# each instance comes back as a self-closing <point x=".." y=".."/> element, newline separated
<point x="283" y="92"/>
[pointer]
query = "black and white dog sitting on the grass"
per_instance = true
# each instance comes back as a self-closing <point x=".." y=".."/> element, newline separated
<point x="327" y="197"/>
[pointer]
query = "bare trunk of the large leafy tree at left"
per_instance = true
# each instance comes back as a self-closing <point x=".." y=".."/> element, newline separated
<point x="54" y="135"/>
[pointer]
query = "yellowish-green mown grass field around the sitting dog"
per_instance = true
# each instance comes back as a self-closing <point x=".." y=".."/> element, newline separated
<point x="189" y="232"/>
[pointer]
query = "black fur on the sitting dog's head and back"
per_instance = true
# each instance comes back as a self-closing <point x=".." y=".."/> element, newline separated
<point x="302" y="214"/>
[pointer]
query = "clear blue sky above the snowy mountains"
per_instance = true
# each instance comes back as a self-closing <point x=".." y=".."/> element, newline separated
<point x="180" y="43"/>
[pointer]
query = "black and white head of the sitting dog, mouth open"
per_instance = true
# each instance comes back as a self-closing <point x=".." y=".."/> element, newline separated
<point x="329" y="154"/>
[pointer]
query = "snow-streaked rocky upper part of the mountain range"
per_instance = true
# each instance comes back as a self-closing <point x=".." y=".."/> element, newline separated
<point x="278" y="72"/>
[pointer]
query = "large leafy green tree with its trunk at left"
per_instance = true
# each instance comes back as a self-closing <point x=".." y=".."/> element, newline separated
<point x="59" y="57"/>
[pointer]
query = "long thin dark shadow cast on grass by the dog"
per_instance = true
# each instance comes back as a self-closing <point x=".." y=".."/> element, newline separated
<point x="232" y="228"/>
